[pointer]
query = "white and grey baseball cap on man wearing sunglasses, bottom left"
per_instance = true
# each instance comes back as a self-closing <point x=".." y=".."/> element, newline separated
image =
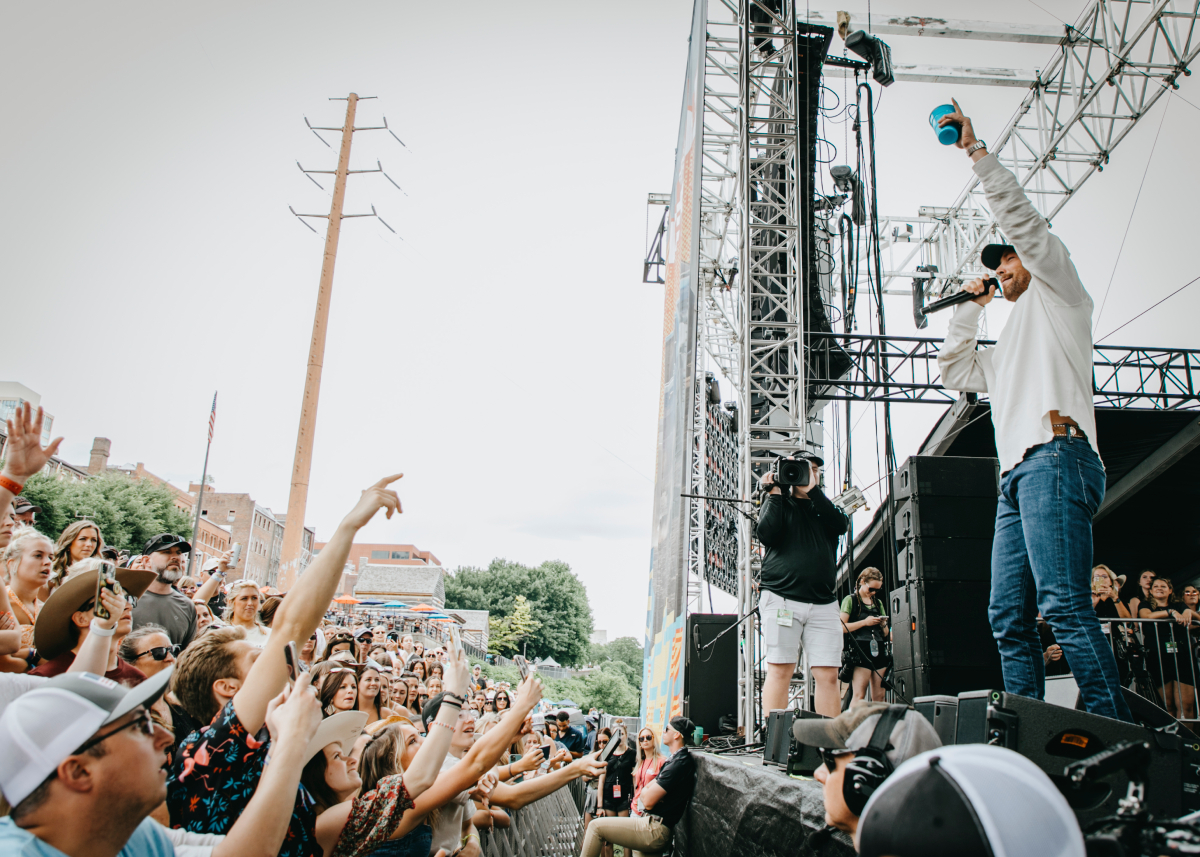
<point x="44" y="727"/>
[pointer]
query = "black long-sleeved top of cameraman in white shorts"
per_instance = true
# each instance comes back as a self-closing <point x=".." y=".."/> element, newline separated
<point x="801" y="537"/>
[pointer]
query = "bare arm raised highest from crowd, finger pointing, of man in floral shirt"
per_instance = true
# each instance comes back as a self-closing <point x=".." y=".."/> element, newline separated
<point x="305" y="606"/>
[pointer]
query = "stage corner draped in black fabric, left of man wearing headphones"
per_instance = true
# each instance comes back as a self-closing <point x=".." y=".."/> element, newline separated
<point x="745" y="810"/>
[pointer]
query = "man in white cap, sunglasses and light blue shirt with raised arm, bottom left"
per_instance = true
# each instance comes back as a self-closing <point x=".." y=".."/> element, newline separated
<point x="83" y="765"/>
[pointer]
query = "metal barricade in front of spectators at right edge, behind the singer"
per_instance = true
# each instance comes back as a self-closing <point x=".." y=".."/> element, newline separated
<point x="1157" y="660"/>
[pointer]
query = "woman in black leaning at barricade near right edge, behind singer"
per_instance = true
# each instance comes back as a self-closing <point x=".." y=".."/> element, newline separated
<point x="1172" y="662"/>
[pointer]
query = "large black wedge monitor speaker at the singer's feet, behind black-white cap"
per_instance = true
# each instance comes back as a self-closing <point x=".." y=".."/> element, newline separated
<point x="1053" y="738"/>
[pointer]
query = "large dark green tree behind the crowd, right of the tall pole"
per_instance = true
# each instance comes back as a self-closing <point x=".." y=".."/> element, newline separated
<point x="557" y="601"/>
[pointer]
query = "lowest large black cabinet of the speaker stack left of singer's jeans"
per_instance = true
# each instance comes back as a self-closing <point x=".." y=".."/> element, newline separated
<point x="944" y="624"/>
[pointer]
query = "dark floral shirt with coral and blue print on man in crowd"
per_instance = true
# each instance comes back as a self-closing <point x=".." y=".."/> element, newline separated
<point x="215" y="774"/>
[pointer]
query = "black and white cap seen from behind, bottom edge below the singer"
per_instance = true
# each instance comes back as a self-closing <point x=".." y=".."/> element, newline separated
<point x="969" y="800"/>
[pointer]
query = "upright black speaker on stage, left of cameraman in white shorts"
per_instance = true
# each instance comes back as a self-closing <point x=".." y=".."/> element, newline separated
<point x="711" y="675"/>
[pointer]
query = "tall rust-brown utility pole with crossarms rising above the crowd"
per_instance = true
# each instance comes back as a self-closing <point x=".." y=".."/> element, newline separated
<point x="302" y="465"/>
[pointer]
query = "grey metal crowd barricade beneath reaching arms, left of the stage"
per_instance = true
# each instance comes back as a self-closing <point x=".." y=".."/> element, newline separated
<point x="550" y="828"/>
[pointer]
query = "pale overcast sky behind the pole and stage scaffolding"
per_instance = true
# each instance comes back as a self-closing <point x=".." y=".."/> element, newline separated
<point x="502" y="351"/>
